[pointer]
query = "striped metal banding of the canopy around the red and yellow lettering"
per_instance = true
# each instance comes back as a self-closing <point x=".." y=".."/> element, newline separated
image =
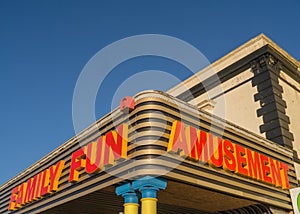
<point x="149" y="130"/>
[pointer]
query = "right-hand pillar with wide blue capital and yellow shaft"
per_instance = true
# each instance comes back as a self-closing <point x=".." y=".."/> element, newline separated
<point x="149" y="186"/>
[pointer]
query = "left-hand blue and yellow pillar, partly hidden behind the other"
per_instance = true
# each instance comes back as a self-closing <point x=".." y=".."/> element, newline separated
<point x="131" y="202"/>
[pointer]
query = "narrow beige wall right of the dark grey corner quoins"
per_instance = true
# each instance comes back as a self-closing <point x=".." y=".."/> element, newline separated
<point x="291" y="95"/>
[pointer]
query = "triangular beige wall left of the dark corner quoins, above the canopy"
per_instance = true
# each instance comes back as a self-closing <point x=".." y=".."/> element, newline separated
<point x="237" y="103"/>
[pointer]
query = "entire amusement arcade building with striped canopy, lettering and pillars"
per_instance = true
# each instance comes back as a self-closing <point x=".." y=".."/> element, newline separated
<point x="220" y="142"/>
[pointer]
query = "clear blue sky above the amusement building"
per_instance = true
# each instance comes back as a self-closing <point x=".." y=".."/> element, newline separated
<point x="44" y="45"/>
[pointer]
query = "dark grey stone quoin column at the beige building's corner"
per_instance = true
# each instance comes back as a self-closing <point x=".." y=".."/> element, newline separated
<point x="266" y="70"/>
